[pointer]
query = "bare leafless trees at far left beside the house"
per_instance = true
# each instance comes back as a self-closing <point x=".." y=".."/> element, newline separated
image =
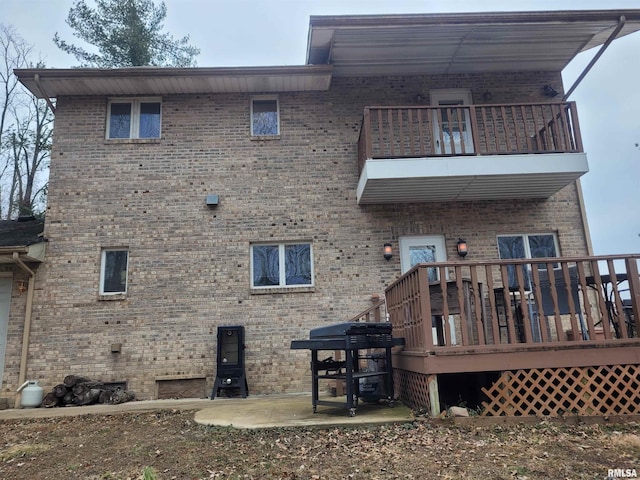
<point x="25" y="133"/>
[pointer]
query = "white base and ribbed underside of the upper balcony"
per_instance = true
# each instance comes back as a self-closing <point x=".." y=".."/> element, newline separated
<point x="468" y="178"/>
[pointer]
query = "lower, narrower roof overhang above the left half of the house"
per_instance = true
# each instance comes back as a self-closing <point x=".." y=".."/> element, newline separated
<point x="51" y="83"/>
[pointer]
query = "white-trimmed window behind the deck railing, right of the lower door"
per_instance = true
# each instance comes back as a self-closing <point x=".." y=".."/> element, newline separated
<point x="540" y="245"/>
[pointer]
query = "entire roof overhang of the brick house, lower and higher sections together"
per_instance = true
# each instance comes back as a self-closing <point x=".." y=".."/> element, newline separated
<point x="369" y="45"/>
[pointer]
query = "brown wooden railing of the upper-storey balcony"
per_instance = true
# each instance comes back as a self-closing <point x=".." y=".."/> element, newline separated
<point x="420" y="131"/>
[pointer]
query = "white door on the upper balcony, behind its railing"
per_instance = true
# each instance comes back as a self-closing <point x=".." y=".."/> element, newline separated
<point x="452" y="126"/>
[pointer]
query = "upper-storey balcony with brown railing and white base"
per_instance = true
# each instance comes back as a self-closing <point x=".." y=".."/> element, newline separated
<point x="468" y="152"/>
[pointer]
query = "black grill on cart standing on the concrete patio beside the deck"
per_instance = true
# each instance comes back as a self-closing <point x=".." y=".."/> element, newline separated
<point x="350" y="338"/>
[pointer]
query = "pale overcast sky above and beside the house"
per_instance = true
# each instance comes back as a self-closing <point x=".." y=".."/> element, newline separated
<point x="274" y="32"/>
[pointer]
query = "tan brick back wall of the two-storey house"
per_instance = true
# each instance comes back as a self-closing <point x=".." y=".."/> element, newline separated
<point x="189" y="264"/>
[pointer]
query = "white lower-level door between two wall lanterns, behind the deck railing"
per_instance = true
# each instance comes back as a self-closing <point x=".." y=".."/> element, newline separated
<point x="423" y="249"/>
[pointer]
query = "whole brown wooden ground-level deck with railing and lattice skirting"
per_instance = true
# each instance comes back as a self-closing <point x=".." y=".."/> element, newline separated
<point x="557" y="335"/>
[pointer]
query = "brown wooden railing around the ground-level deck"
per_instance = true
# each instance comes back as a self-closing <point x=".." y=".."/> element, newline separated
<point x="515" y="303"/>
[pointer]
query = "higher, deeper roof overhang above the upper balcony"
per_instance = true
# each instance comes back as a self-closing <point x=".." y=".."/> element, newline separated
<point x="373" y="45"/>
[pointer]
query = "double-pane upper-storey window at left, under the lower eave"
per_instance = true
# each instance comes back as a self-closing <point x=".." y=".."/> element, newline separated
<point x="134" y="118"/>
